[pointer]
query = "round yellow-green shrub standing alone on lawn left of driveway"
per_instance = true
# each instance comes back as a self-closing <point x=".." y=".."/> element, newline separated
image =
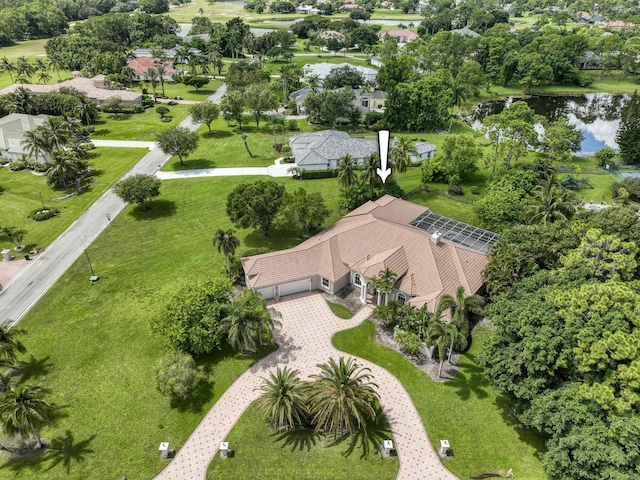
<point x="177" y="375"/>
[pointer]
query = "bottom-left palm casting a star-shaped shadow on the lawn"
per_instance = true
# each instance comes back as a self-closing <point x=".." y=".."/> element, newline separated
<point x="22" y="409"/>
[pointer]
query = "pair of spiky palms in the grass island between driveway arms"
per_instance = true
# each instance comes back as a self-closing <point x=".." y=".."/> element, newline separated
<point x="341" y="399"/>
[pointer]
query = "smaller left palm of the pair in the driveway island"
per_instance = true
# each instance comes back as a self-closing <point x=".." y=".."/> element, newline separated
<point x="283" y="399"/>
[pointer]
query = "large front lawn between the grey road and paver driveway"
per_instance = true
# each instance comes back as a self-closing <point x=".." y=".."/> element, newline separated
<point x="92" y="344"/>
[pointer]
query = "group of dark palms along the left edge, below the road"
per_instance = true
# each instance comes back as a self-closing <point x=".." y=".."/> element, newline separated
<point x="23" y="408"/>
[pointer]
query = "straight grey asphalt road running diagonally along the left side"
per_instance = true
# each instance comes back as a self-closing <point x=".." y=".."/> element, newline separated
<point x="34" y="281"/>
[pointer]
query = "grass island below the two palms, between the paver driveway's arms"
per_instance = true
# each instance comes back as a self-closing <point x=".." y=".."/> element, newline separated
<point x="264" y="453"/>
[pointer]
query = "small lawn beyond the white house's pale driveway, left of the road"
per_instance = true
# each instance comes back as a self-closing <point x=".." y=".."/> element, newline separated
<point x="137" y="126"/>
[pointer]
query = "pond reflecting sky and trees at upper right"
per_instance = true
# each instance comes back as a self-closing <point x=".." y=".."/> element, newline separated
<point x="596" y="115"/>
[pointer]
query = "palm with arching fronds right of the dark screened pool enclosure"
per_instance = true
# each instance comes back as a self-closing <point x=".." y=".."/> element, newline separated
<point x="551" y="204"/>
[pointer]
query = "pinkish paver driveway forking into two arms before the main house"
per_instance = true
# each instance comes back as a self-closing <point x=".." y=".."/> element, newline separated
<point x="305" y="341"/>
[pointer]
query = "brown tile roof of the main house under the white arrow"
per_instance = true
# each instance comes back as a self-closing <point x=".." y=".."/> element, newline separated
<point x="373" y="237"/>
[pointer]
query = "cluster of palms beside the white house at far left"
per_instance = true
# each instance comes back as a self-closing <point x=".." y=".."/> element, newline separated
<point x="62" y="139"/>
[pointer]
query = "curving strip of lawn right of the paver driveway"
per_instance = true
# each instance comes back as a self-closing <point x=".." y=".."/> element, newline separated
<point x="465" y="410"/>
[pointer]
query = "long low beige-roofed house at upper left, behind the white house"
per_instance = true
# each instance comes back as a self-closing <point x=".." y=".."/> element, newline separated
<point x="96" y="88"/>
